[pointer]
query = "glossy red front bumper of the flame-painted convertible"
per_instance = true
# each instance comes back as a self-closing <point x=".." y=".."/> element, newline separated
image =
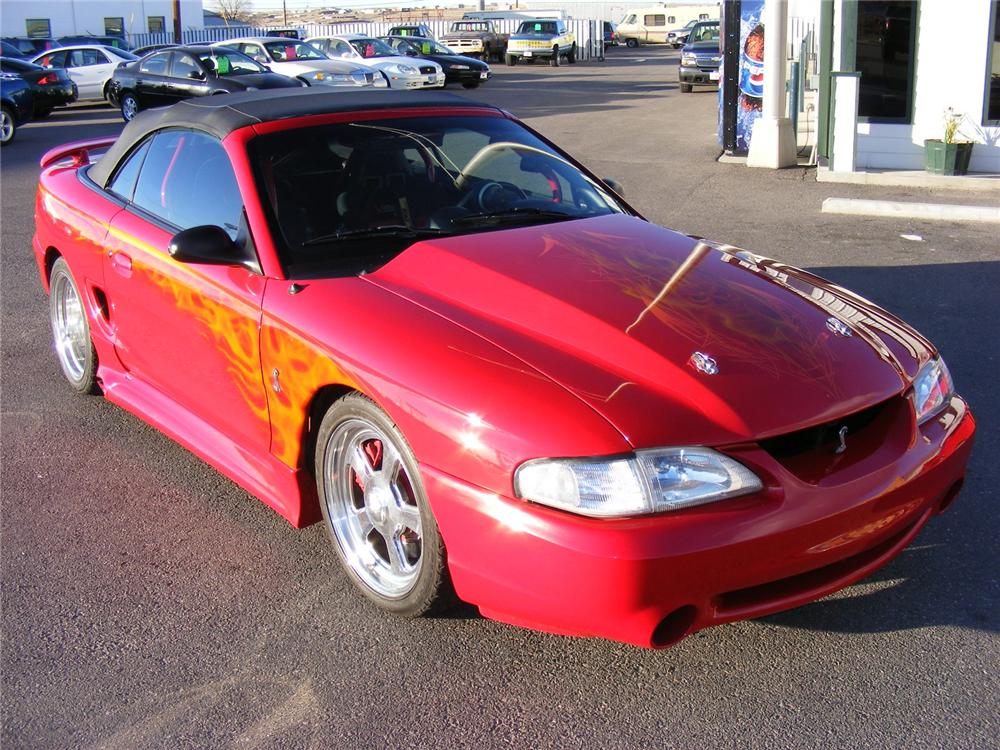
<point x="652" y="580"/>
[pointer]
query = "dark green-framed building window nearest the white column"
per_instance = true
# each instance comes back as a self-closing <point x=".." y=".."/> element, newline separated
<point x="884" y="57"/>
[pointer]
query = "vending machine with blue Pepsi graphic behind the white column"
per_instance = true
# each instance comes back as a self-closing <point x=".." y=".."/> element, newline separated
<point x="742" y="90"/>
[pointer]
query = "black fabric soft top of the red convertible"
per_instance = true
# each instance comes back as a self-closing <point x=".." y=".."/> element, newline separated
<point x="221" y="115"/>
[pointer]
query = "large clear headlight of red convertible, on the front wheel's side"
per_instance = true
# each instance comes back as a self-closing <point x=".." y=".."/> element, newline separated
<point x="650" y="481"/>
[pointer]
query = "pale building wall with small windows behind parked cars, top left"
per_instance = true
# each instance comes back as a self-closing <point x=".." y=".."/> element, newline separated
<point x="68" y="17"/>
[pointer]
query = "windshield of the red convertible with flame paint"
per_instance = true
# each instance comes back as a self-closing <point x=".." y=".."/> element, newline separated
<point x="346" y="198"/>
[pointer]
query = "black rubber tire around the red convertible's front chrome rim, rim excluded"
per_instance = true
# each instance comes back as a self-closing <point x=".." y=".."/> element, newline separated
<point x="432" y="590"/>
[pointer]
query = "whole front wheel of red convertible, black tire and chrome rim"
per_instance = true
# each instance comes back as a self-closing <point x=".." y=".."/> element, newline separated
<point x="376" y="510"/>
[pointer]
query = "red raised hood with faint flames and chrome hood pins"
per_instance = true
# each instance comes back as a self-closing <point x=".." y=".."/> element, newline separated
<point x="612" y="308"/>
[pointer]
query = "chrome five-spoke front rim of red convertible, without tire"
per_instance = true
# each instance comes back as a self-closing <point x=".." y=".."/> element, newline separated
<point x="372" y="508"/>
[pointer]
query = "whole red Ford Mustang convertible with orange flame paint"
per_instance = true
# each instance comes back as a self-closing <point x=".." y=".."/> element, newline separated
<point x="417" y="320"/>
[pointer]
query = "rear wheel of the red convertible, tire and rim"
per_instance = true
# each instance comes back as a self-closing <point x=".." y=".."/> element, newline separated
<point x="71" y="330"/>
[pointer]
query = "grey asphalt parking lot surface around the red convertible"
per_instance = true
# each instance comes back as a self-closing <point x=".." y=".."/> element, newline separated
<point x="147" y="601"/>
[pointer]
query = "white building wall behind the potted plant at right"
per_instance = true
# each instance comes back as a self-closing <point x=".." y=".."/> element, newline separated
<point x="946" y="75"/>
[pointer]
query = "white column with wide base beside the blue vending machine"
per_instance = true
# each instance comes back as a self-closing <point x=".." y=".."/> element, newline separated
<point x="772" y="144"/>
